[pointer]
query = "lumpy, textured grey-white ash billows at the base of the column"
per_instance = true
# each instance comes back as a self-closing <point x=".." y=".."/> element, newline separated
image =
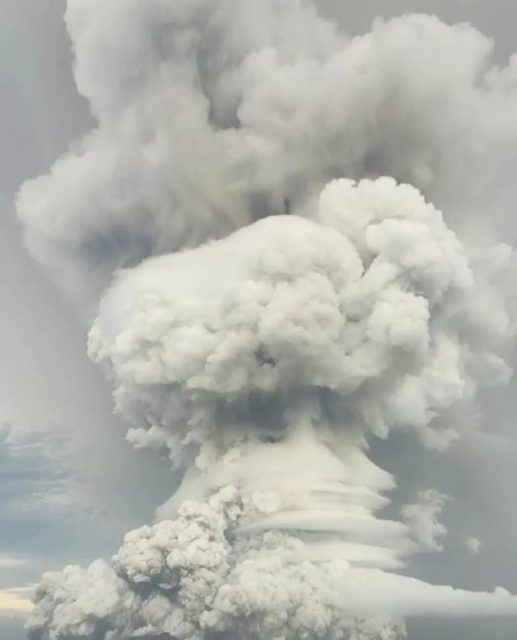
<point x="184" y="579"/>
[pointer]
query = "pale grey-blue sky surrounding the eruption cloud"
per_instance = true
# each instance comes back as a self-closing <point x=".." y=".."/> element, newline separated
<point x="69" y="484"/>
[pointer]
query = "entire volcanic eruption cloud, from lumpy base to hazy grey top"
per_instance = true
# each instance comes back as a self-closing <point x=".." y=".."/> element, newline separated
<point x="279" y="304"/>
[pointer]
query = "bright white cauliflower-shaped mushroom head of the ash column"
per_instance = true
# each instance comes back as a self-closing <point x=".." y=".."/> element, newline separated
<point x="369" y="314"/>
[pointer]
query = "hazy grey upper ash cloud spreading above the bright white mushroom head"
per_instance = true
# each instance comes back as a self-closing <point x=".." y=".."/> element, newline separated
<point x="213" y="114"/>
